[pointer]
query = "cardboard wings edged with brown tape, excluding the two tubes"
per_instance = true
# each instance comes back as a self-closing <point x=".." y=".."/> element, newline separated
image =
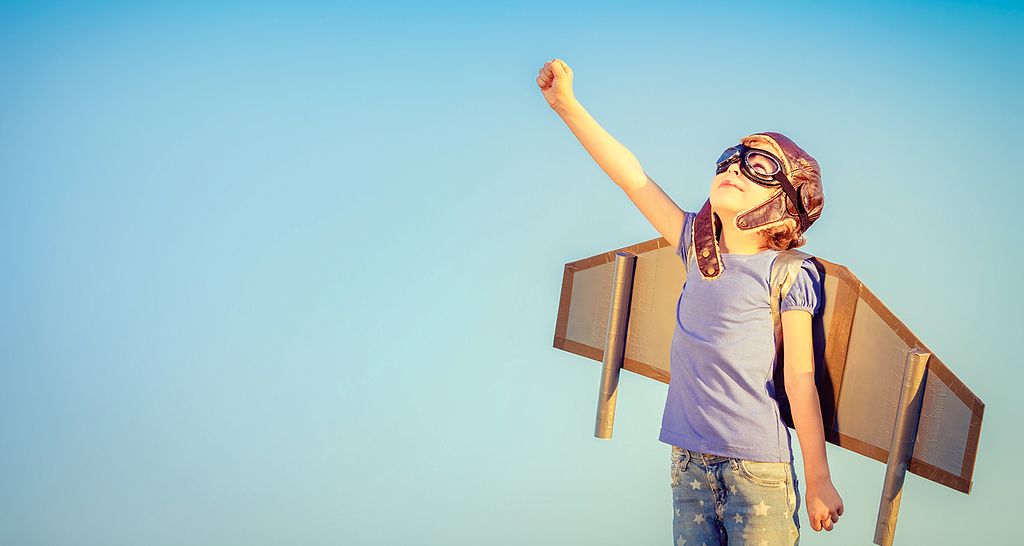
<point x="861" y="348"/>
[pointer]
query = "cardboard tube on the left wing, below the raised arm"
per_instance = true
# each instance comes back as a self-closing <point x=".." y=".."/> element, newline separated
<point x="615" y="343"/>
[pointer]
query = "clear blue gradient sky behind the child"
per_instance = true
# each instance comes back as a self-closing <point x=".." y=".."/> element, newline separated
<point x="287" y="273"/>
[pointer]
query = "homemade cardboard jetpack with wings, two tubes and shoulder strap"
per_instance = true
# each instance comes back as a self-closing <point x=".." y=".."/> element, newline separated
<point x="884" y="395"/>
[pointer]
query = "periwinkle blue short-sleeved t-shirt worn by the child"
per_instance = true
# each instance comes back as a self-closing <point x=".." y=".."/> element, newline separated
<point x="721" y="397"/>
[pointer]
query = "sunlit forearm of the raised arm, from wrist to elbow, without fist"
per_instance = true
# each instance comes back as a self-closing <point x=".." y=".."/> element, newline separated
<point x="615" y="159"/>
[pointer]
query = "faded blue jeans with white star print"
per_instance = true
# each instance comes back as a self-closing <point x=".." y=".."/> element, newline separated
<point x="720" y="501"/>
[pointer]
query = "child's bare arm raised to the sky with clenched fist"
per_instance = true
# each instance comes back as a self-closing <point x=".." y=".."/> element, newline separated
<point x="617" y="161"/>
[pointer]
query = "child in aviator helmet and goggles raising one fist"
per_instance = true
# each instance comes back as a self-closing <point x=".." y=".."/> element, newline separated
<point x="732" y="458"/>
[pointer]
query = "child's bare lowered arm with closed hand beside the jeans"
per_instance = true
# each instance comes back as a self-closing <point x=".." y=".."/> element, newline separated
<point x="824" y="503"/>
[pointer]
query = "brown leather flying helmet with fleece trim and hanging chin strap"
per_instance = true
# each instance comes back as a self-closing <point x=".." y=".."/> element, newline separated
<point x="799" y="199"/>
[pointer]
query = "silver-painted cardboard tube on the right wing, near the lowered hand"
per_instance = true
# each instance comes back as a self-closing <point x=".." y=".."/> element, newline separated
<point x="902" y="448"/>
